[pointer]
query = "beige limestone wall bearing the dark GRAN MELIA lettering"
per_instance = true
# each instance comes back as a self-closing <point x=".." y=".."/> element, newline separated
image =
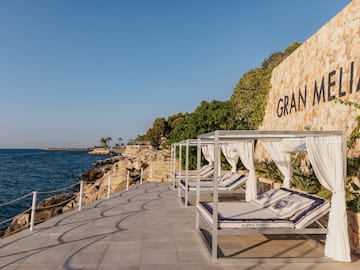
<point x="305" y="86"/>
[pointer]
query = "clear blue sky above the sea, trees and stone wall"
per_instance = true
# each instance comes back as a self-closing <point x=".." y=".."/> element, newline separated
<point x="74" y="71"/>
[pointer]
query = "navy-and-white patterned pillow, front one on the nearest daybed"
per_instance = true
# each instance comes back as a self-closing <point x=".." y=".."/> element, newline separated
<point x="290" y="205"/>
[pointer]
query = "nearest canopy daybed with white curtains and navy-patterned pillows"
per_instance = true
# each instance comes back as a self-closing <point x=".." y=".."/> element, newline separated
<point x="327" y="154"/>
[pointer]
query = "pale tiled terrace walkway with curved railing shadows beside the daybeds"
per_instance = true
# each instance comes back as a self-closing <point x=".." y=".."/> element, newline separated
<point x="144" y="228"/>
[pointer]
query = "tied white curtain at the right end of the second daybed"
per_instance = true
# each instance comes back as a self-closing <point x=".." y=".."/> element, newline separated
<point x="246" y="153"/>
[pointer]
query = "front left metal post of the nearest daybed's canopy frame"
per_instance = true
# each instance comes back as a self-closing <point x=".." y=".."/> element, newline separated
<point x="215" y="198"/>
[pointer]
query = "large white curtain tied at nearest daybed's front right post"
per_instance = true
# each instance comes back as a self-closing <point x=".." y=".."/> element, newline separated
<point x="326" y="157"/>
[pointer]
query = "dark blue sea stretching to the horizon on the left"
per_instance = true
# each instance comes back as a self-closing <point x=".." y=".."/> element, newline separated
<point x="23" y="171"/>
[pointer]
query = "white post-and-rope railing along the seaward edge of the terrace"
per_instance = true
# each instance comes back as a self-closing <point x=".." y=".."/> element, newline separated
<point x="79" y="186"/>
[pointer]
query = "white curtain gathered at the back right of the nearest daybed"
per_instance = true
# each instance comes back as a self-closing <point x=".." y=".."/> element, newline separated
<point x="281" y="159"/>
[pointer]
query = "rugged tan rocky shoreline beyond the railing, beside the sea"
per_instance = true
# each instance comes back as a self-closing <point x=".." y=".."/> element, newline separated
<point x="154" y="164"/>
